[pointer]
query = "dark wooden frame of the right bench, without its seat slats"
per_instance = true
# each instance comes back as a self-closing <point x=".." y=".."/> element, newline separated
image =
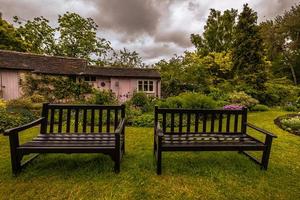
<point x="159" y="134"/>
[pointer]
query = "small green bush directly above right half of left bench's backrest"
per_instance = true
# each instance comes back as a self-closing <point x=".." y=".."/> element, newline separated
<point x="104" y="97"/>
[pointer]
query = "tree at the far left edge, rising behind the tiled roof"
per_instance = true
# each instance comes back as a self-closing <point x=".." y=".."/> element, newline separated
<point x="9" y="37"/>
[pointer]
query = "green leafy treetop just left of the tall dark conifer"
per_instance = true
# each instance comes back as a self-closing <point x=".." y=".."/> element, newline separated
<point x="218" y="32"/>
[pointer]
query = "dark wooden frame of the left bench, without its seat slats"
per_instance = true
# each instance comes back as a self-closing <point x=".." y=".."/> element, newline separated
<point x="17" y="152"/>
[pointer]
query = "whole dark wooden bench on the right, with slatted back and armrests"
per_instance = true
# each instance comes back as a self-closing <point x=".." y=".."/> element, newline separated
<point x="207" y="130"/>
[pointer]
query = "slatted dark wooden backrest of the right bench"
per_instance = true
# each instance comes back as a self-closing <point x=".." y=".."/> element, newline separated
<point x="177" y="121"/>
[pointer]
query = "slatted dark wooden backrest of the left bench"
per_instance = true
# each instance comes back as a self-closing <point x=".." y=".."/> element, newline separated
<point x="62" y="118"/>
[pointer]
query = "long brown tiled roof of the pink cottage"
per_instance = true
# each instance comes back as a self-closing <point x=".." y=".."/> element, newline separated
<point x="58" y="65"/>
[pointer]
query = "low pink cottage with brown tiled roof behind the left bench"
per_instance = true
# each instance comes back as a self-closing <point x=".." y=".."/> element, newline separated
<point x="123" y="82"/>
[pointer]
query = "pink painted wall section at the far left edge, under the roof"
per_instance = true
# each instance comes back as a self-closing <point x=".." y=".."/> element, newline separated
<point x="9" y="84"/>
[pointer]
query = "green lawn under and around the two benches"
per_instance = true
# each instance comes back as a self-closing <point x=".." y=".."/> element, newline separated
<point x="200" y="175"/>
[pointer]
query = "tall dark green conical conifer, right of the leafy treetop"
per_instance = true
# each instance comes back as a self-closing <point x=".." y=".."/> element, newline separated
<point x="248" y="52"/>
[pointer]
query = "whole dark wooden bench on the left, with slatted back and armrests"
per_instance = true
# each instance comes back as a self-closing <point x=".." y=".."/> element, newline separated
<point x="72" y="129"/>
